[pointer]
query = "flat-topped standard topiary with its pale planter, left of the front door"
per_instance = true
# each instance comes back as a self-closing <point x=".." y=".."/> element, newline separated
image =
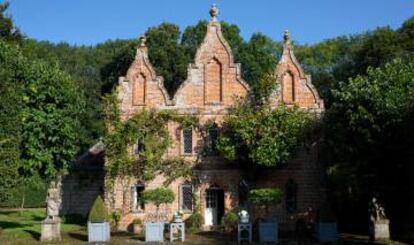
<point x="154" y="231"/>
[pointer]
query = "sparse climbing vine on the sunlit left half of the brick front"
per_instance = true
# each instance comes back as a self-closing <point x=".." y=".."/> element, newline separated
<point x="150" y="127"/>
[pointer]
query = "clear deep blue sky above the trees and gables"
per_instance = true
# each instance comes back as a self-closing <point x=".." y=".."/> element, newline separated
<point x="310" y="21"/>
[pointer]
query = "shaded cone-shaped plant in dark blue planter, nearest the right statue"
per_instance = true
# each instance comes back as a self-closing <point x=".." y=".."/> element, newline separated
<point x="326" y="229"/>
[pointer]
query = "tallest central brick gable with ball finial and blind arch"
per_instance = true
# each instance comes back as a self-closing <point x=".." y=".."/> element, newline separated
<point x="214" y="80"/>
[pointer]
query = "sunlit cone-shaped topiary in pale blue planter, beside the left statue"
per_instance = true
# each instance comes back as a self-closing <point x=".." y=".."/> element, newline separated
<point x="98" y="222"/>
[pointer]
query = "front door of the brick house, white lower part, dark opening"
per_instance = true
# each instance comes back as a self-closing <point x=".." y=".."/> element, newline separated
<point x="214" y="206"/>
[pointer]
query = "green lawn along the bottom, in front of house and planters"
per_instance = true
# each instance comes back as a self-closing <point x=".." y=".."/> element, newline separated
<point x="23" y="227"/>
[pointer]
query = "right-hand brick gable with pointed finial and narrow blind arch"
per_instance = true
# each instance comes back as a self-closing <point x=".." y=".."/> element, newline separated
<point x="295" y="87"/>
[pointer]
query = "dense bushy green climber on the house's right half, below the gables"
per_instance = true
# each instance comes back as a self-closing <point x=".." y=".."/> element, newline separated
<point x="262" y="135"/>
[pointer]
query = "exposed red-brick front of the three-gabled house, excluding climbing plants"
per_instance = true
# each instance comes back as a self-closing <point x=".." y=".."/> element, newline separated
<point x="213" y="83"/>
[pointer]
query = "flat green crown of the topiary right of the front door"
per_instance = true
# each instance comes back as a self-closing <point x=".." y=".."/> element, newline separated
<point x="266" y="196"/>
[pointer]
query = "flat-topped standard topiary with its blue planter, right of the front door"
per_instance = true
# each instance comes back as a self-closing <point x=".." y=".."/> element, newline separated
<point x="266" y="197"/>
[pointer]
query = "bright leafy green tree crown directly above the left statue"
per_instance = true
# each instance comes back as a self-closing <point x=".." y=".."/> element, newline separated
<point x="51" y="116"/>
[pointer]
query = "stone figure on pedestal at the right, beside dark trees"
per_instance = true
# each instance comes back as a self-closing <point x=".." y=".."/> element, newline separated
<point x="378" y="223"/>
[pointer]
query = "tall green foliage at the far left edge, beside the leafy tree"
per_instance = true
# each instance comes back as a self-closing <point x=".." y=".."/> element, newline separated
<point x="11" y="66"/>
